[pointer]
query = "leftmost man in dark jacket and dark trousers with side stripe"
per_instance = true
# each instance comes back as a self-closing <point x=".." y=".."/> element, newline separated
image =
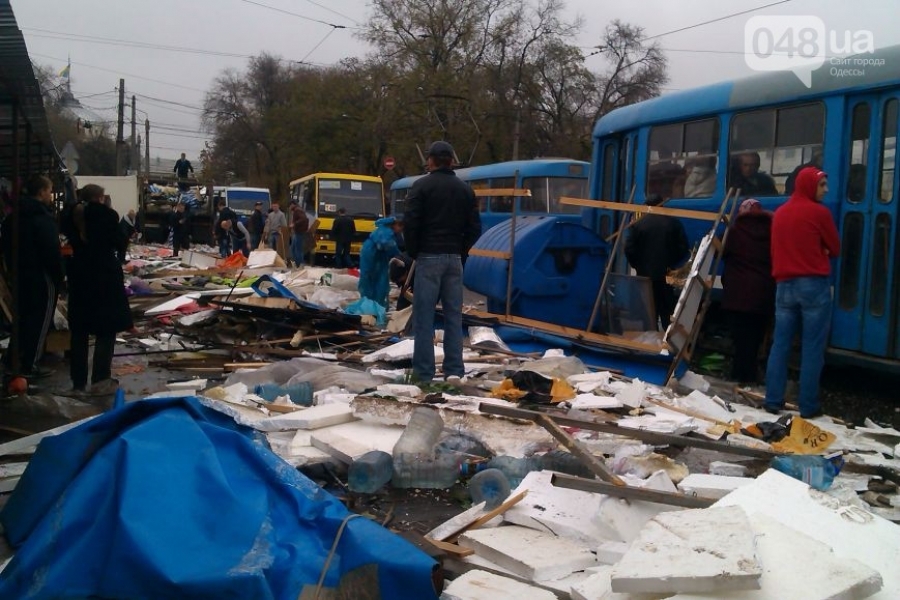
<point x="39" y="264"/>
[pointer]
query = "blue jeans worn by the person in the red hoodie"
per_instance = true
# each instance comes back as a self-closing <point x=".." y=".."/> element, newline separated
<point x="802" y="304"/>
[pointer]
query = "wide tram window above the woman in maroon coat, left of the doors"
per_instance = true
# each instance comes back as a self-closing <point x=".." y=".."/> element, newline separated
<point x="779" y="142"/>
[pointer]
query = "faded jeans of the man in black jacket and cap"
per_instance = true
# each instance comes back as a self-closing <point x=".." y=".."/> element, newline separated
<point x="437" y="277"/>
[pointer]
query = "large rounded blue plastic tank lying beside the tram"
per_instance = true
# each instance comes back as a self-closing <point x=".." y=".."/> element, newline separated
<point x="557" y="269"/>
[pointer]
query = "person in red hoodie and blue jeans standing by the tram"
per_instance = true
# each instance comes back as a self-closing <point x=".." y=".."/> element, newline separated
<point x="804" y="240"/>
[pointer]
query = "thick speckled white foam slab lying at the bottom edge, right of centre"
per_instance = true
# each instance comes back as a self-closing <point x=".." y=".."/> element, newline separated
<point x="699" y="550"/>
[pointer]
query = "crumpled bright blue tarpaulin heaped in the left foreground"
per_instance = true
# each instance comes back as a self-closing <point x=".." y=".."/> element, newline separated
<point x="170" y="499"/>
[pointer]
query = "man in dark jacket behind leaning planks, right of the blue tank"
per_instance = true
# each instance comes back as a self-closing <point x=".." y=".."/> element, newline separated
<point x="656" y="244"/>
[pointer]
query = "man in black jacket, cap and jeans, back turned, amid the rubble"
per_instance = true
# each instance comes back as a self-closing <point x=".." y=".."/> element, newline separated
<point x="442" y="224"/>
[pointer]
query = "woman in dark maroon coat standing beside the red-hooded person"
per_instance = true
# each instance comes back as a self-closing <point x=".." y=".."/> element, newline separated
<point x="748" y="286"/>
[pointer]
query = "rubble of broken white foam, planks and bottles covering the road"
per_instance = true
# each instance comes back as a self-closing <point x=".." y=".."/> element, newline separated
<point x="616" y="488"/>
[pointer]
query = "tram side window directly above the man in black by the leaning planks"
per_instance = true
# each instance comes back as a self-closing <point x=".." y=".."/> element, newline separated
<point x="682" y="159"/>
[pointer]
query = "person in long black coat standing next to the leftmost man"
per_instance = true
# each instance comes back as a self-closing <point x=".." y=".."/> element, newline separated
<point x="97" y="302"/>
